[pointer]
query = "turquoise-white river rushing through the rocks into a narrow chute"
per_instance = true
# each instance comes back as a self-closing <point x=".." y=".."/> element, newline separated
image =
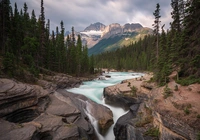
<point x="94" y="91"/>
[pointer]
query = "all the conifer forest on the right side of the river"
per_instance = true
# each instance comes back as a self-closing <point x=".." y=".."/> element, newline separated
<point x="177" y="49"/>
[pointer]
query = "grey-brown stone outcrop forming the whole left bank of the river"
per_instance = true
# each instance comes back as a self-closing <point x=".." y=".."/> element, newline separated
<point x="35" y="112"/>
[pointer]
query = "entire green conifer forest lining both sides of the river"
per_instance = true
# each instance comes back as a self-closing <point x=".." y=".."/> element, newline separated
<point x="27" y="44"/>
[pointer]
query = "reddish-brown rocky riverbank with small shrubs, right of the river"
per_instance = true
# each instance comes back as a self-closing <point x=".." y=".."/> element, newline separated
<point x="169" y="112"/>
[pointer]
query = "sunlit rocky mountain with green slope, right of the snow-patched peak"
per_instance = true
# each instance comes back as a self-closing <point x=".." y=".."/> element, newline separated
<point x="115" y="36"/>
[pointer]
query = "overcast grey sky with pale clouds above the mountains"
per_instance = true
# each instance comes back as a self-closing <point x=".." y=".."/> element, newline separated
<point x="82" y="13"/>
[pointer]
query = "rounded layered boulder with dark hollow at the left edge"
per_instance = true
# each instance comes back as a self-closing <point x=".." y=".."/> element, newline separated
<point x="21" y="102"/>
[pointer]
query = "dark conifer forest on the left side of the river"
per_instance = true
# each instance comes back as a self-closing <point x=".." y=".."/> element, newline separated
<point x="28" y="46"/>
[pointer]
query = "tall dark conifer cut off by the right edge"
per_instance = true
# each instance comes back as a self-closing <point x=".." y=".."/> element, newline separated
<point x="190" y="50"/>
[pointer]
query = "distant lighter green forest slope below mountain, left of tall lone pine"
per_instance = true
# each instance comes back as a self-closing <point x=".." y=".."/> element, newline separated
<point x="137" y="56"/>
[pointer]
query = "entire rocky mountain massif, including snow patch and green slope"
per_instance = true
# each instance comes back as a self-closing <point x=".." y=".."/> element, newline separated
<point x="100" y="38"/>
